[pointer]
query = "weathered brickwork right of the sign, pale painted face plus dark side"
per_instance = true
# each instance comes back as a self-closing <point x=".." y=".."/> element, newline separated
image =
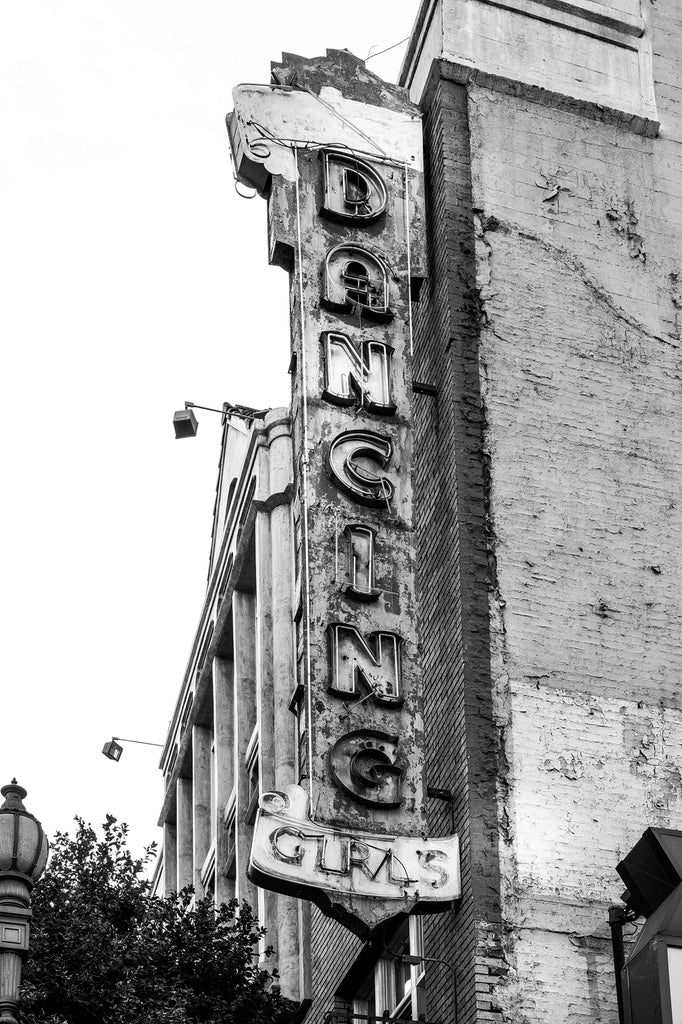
<point x="547" y="488"/>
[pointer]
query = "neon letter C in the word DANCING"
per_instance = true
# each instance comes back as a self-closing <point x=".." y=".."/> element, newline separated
<point x="350" y="462"/>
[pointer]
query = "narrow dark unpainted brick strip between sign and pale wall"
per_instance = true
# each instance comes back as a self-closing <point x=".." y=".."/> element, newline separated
<point x="456" y="571"/>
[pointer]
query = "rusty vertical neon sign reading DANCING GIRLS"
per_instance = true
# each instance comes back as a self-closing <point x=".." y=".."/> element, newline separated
<point x="349" y="226"/>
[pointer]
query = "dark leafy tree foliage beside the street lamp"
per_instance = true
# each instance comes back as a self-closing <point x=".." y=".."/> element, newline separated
<point x="104" y="951"/>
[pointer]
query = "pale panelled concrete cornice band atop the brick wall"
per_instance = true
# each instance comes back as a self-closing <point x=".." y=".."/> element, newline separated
<point x="579" y="55"/>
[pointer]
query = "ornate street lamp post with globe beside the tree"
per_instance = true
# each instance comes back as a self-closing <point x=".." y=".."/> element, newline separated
<point x="24" y="849"/>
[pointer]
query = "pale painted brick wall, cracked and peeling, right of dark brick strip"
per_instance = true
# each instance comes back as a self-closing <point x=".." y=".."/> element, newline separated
<point x="579" y="251"/>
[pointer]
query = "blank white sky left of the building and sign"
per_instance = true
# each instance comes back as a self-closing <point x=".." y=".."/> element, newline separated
<point x="133" y="278"/>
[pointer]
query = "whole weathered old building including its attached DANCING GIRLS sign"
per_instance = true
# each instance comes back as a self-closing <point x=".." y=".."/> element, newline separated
<point x="527" y="390"/>
